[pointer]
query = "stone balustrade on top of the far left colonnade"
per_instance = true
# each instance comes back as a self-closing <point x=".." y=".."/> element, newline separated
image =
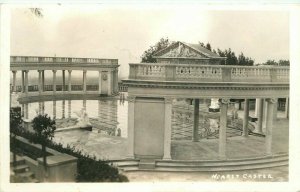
<point x="62" y="60"/>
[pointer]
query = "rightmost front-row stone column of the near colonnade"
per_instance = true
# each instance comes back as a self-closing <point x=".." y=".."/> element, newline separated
<point x="269" y="126"/>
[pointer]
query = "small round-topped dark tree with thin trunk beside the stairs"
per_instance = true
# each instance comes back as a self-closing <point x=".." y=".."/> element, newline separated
<point x="44" y="128"/>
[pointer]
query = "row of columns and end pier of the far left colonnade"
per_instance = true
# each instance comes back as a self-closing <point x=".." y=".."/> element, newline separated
<point x="107" y="84"/>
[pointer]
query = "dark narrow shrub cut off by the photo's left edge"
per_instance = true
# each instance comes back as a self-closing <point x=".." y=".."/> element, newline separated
<point x="15" y="126"/>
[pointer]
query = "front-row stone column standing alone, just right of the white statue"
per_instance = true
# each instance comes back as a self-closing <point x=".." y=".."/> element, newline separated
<point x="223" y="127"/>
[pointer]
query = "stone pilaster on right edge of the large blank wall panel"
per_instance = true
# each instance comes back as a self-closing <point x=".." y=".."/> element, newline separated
<point x="168" y="129"/>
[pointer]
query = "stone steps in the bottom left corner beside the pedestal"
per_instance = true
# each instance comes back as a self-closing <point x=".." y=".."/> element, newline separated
<point x="21" y="172"/>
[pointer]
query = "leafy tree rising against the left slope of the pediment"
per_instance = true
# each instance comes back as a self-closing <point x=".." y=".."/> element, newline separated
<point x="147" y="56"/>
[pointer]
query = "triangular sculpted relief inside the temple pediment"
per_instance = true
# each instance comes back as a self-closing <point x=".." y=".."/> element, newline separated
<point x="181" y="51"/>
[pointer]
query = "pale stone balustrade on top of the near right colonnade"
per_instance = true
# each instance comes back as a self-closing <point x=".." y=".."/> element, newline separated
<point x="209" y="73"/>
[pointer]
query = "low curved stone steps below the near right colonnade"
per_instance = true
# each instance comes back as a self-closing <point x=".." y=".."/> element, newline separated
<point x="278" y="160"/>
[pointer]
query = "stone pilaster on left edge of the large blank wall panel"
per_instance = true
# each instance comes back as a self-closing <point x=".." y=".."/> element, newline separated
<point x="131" y="101"/>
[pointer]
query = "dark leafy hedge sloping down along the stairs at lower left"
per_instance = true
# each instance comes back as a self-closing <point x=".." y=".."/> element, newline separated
<point x="89" y="169"/>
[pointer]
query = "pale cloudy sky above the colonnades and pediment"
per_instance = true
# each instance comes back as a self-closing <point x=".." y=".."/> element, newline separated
<point x="125" y="32"/>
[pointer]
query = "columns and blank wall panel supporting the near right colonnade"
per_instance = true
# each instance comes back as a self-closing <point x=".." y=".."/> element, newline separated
<point x="135" y="124"/>
